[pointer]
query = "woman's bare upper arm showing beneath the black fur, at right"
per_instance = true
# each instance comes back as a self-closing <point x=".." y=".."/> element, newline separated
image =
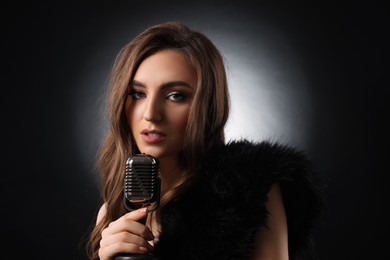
<point x="272" y="243"/>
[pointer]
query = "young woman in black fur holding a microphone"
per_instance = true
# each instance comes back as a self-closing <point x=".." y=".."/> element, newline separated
<point x="169" y="98"/>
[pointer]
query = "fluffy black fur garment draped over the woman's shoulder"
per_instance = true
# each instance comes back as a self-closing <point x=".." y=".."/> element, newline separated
<point x="219" y="215"/>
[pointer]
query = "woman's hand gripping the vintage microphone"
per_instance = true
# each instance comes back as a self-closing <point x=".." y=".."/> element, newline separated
<point x="126" y="235"/>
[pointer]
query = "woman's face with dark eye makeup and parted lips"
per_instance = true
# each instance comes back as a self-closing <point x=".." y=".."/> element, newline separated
<point x="159" y="103"/>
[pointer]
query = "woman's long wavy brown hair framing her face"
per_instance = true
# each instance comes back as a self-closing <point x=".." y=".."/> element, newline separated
<point x="206" y="121"/>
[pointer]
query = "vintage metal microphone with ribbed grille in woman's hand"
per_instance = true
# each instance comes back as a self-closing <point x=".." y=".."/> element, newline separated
<point x="141" y="189"/>
